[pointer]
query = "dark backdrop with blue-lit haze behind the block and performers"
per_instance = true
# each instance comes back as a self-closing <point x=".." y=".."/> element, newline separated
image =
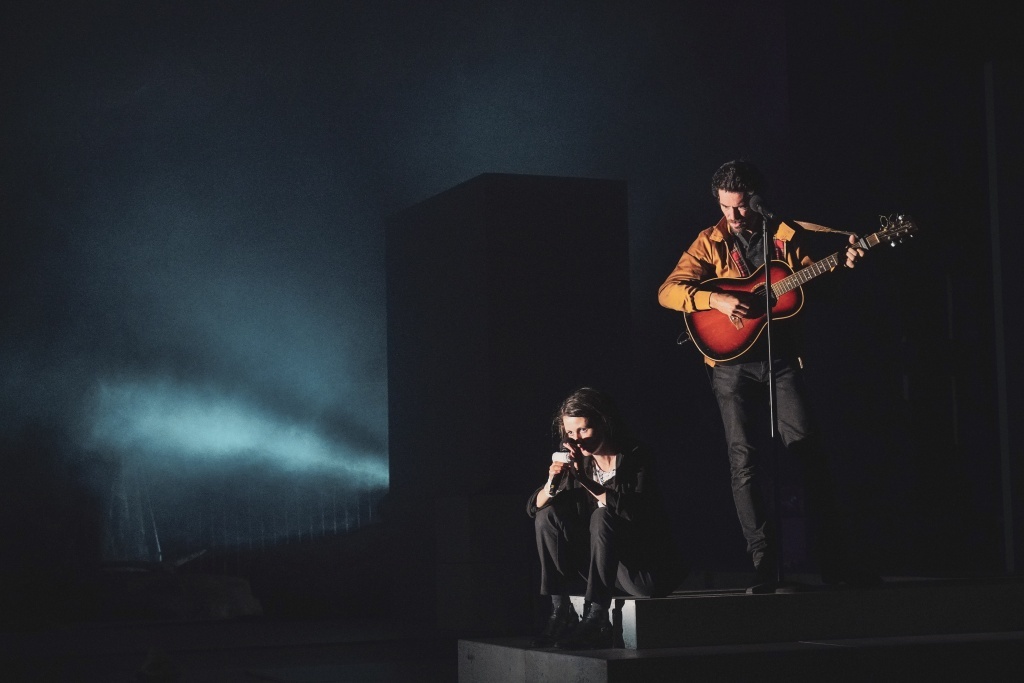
<point x="194" y="198"/>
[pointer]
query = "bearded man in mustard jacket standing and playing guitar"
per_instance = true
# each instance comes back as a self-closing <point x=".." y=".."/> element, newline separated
<point x="719" y="285"/>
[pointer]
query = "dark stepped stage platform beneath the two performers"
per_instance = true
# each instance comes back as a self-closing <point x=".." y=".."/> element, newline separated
<point x="949" y="630"/>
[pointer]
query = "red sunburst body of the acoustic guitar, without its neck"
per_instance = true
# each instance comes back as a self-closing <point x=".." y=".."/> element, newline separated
<point x="718" y="337"/>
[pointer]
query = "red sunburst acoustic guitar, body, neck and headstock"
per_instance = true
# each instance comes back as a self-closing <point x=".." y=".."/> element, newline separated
<point x="722" y="338"/>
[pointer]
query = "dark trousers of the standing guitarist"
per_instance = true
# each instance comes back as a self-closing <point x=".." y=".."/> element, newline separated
<point x="742" y="392"/>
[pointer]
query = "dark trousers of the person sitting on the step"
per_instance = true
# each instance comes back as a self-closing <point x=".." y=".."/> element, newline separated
<point x="603" y="552"/>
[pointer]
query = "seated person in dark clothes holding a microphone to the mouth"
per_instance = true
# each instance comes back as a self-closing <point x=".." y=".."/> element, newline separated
<point x="601" y="524"/>
